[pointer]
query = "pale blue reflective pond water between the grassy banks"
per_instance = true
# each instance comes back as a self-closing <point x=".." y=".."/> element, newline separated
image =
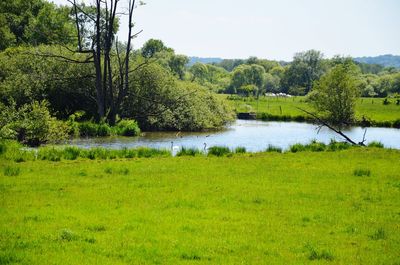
<point x="254" y="135"/>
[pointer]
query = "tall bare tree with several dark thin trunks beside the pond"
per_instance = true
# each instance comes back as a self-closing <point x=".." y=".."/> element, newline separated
<point x="95" y="28"/>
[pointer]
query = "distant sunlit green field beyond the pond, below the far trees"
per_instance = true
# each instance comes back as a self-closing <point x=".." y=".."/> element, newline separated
<point x="371" y="108"/>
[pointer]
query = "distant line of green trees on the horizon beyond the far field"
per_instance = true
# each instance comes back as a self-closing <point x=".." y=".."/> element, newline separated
<point x="259" y="76"/>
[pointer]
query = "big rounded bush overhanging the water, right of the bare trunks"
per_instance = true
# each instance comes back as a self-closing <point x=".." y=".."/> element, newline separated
<point x="159" y="102"/>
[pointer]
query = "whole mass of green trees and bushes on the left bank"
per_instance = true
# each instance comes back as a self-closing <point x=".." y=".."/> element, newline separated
<point x="45" y="79"/>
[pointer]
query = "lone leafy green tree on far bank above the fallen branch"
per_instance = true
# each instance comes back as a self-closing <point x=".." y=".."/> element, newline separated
<point x="334" y="95"/>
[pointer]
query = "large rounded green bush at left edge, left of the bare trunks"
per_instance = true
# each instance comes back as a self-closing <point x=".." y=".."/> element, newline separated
<point x="29" y="74"/>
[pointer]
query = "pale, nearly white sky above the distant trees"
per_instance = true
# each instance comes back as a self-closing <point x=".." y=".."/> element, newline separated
<point x="269" y="29"/>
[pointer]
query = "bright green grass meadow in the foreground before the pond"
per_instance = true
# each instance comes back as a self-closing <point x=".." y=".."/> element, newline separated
<point x="338" y="207"/>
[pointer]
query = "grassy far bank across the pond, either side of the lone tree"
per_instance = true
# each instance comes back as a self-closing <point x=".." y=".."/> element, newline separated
<point x="286" y="109"/>
